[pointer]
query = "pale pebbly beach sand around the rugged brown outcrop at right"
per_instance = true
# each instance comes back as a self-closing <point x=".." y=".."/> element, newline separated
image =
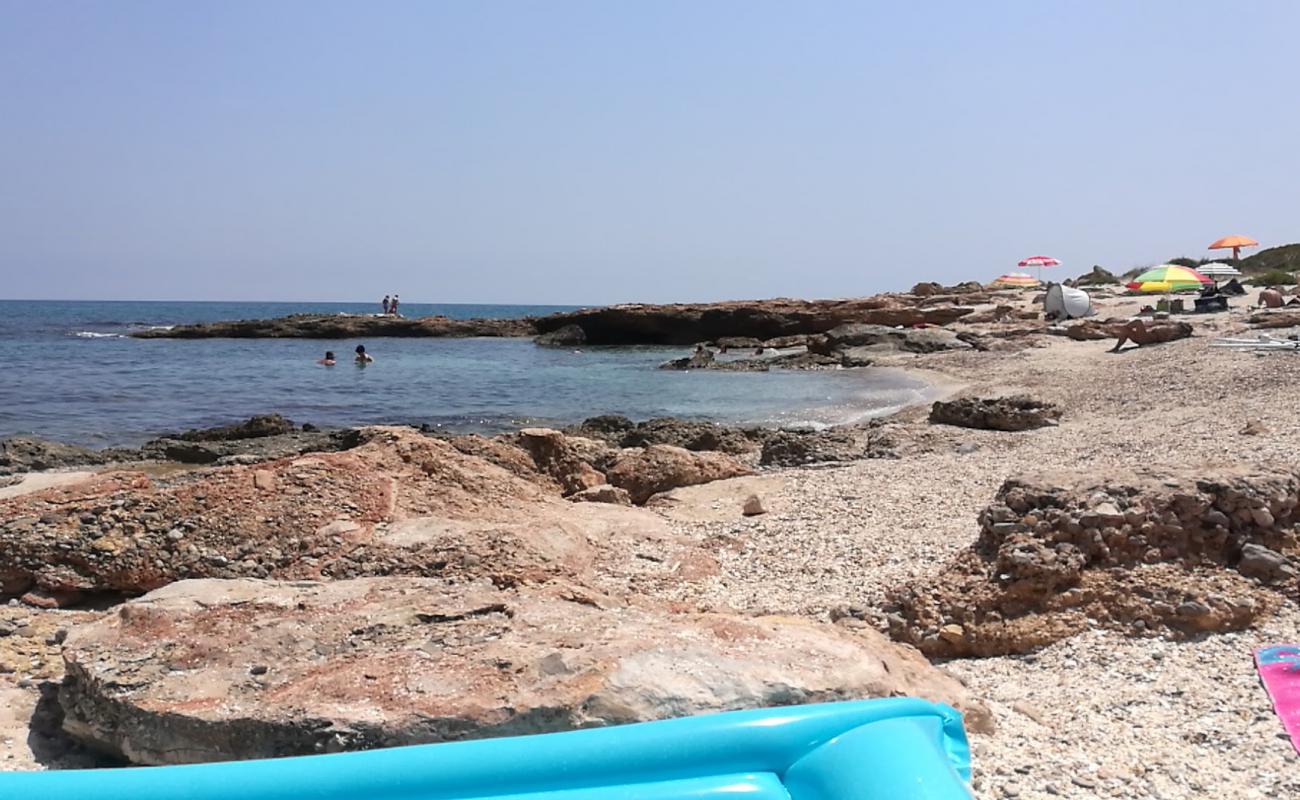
<point x="1100" y="715"/>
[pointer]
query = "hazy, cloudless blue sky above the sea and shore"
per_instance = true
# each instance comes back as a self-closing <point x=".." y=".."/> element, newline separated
<point x="601" y="152"/>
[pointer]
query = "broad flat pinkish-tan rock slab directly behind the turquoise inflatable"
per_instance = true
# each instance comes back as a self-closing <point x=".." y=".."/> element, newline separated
<point x="211" y="671"/>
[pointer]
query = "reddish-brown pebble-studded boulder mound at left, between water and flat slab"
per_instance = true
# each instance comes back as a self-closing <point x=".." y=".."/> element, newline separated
<point x="402" y="504"/>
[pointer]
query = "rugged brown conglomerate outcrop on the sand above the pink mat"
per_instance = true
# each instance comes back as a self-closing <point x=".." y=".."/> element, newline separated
<point x="1056" y="555"/>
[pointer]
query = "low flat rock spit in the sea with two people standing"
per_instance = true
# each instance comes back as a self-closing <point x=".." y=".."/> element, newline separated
<point x="343" y="327"/>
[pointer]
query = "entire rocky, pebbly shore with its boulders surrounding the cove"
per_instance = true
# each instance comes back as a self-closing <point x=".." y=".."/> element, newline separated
<point x="1025" y="548"/>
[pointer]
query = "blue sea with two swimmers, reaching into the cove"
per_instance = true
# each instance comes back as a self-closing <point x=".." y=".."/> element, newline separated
<point x="73" y="373"/>
